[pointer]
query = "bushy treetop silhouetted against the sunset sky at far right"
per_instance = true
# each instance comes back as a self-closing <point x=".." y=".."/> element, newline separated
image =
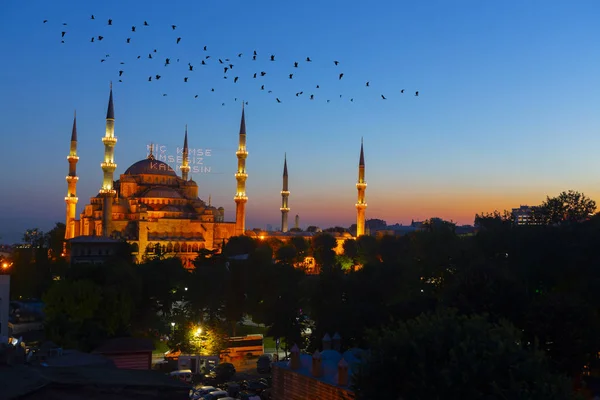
<point x="570" y="206"/>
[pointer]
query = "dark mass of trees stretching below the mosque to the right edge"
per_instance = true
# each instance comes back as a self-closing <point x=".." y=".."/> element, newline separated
<point x="509" y="298"/>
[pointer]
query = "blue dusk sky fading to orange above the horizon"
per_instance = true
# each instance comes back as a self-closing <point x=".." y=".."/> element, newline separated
<point x="507" y="112"/>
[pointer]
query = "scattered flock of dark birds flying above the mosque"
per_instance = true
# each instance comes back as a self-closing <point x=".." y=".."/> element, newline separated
<point x="226" y="63"/>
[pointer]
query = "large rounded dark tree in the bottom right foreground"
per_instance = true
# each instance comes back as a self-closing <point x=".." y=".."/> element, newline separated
<point x="448" y="356"/>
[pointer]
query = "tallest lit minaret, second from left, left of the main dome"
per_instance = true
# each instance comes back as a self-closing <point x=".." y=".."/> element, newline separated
<point x="107" y="192"/>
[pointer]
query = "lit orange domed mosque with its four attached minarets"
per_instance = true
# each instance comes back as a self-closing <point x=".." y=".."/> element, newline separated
<point x="150" y="206"/>
